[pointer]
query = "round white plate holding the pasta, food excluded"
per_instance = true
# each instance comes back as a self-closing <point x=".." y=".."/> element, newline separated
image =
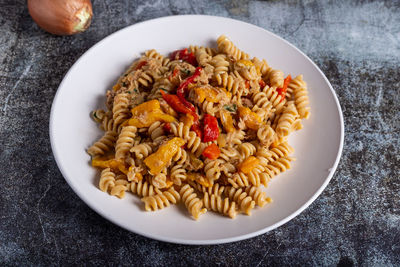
<point x="318" y="146"/>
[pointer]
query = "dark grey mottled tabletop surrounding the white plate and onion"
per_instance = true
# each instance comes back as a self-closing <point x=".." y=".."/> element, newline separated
<point x="356" y="220"/>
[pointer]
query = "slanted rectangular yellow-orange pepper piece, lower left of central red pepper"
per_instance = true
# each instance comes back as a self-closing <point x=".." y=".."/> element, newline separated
<point x="157" y="161"/>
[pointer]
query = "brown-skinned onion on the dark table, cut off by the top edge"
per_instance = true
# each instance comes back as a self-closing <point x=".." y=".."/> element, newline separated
<point x="61" y="17"/>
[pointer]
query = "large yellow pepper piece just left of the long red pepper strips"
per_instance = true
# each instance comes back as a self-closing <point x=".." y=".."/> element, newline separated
<point x="147" y="113"/>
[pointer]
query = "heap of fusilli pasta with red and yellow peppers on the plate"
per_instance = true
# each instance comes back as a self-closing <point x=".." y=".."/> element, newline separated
<point x="207" y="127"/>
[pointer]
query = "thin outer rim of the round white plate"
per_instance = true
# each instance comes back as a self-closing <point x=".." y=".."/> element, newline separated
<point x="194" y="241"/>
